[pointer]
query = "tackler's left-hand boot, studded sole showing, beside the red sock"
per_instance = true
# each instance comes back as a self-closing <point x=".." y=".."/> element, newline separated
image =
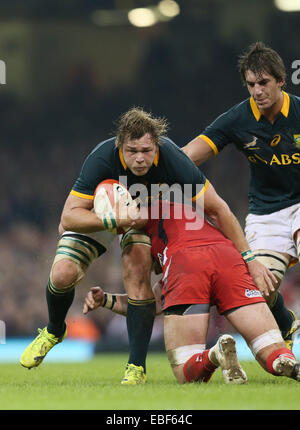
<point x="223" y="354"/>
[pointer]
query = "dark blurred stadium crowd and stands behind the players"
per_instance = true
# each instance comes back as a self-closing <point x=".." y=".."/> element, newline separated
<point x="72" y="67"/>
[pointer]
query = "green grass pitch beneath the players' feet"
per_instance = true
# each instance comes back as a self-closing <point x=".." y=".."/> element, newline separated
<point x="95" y="385"/>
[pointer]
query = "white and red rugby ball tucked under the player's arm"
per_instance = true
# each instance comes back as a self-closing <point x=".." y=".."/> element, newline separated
<point x="106" y="195"/>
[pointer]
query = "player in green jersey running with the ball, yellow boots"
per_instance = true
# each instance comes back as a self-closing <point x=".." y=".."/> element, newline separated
<point x="139" y="154"/>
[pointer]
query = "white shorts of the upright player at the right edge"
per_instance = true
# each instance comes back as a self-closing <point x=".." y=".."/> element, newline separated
<point x="274" y="231"/>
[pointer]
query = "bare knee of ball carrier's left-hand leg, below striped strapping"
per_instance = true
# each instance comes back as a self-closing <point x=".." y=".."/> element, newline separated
<point x="64" y="274"/>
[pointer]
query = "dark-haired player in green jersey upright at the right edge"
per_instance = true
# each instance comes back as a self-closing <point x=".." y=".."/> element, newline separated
<point x="266" y="128"/>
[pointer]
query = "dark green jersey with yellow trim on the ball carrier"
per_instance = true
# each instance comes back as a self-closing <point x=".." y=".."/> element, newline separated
<point x="171" y="166"/>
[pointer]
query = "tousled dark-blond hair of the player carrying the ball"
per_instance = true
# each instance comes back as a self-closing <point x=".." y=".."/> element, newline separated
<point x="135" y="123"/>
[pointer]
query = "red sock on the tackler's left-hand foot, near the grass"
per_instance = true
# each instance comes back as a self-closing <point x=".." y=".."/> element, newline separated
<point x="199" y="367"/>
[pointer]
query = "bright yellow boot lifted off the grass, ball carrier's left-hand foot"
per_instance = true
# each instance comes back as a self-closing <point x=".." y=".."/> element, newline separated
<point x="35" y="353"/>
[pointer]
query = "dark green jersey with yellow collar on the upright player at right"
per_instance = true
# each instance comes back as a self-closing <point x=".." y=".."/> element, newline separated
<point x="273" y="151"/>
